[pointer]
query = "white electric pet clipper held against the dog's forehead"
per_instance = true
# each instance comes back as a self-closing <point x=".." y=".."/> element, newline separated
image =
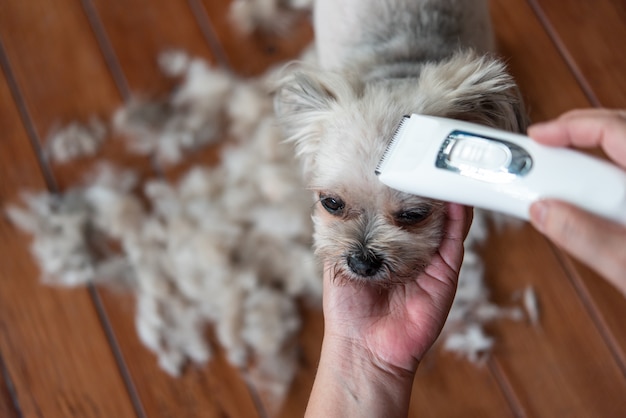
<point x="475" y="165"/>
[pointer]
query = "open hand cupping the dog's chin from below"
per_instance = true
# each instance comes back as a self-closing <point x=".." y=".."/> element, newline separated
<point x="394" y="327"/>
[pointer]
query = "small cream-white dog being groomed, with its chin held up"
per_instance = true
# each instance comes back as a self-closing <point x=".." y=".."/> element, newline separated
<point x="377" y="61"/>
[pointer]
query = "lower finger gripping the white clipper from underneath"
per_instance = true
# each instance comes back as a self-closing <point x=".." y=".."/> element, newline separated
<point x="599" y="243"/>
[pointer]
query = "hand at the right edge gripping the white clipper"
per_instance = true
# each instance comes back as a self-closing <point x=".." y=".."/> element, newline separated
<point x="597" y="242"/>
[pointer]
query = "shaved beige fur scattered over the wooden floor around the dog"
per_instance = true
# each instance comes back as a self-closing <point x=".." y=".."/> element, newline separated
<point x="227" y="246"/>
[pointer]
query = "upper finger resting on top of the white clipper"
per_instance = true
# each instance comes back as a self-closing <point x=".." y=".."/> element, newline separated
<point x="586" y="128"/>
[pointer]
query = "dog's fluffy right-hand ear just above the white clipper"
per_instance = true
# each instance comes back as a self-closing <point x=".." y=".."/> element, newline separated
<point x="478" y="89"/>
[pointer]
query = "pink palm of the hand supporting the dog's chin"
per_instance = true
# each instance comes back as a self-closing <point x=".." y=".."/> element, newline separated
<point x="396" y="325"/>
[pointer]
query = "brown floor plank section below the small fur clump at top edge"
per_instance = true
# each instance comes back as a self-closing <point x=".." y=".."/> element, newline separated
<point x="253" y="54"/>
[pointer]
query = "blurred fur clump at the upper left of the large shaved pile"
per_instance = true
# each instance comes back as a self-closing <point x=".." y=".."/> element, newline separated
<point x="190" y="118"/>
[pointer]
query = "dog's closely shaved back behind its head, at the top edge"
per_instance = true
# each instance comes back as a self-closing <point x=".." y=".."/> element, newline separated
<point x="390" y="37"/>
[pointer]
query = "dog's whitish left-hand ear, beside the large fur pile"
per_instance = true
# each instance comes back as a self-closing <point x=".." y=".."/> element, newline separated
<point x="303" y="100"/>
